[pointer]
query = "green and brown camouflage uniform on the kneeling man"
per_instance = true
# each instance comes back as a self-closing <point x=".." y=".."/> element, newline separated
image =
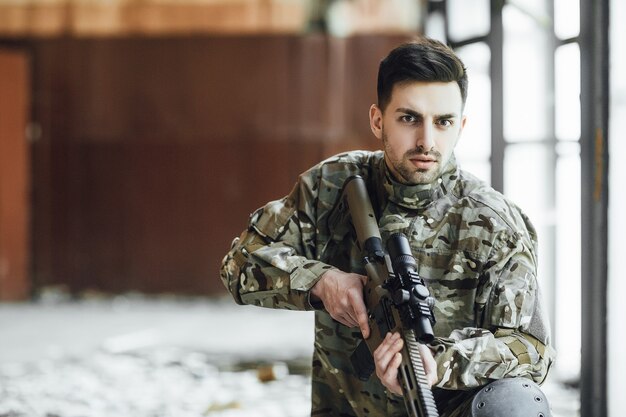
<point x="475" y="250"/>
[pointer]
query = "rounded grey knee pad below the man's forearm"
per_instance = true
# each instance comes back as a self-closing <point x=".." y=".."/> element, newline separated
<point x="511" y="397"/>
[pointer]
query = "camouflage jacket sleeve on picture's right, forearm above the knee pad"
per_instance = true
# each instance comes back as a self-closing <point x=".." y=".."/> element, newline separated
<point x="512" y="334"/>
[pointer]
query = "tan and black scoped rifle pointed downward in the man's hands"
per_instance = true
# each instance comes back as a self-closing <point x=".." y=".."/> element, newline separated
<point x="397" y="301"/>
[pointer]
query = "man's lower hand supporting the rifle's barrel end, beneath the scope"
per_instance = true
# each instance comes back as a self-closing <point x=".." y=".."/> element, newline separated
<point x="387" y="358"/>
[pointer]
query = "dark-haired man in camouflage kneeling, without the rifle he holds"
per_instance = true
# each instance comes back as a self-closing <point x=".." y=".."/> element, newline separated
<point x="475" y="250"/>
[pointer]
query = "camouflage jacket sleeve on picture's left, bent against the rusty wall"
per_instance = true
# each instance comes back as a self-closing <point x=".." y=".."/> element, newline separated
<point x="273" y="263"/>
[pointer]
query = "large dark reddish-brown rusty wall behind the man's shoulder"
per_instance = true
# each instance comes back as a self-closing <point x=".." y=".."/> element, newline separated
<point x="154" y="151"/>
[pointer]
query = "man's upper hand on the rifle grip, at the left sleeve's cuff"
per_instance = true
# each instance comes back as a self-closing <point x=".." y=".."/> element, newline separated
<point x="342" y="296"/>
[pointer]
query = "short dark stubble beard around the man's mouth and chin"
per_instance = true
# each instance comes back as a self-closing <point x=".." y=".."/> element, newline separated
<point x="404" y="170"/>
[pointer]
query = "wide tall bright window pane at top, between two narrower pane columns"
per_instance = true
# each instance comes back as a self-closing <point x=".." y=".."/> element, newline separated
<point x="526" y="86"/>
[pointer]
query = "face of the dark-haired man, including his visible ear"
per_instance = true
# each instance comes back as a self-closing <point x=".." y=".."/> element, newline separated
<point x="419" y="129"/>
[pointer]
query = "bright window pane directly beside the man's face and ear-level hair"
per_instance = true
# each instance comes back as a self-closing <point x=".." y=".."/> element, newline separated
<point x="474" y="149"/>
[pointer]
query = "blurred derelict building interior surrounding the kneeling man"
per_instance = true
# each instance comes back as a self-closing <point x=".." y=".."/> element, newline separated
<point x="136" y="136"/>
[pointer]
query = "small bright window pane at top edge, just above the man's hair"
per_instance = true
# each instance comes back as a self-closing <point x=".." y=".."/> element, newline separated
<point x="468" y="18"/>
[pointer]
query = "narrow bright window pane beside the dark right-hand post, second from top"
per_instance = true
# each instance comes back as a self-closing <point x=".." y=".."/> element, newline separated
<point x="567" y="92"/>
